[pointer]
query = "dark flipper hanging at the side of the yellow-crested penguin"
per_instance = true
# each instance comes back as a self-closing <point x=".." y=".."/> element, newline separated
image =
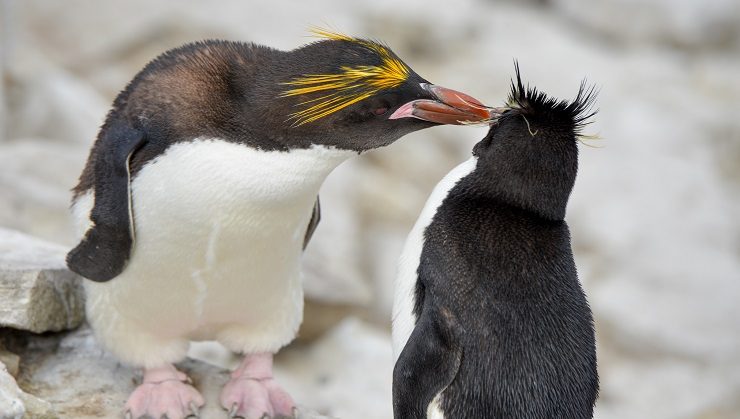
<point x="104" y="250"/>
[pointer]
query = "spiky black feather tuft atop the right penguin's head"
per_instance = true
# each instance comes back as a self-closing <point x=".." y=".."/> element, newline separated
<point x="532" y="103"/>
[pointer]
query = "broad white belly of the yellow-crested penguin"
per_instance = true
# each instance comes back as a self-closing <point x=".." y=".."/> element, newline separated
<point x="219" y="236"/>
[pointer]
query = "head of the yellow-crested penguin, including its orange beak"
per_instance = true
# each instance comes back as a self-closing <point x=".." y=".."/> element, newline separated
<point x="356" y="94"/>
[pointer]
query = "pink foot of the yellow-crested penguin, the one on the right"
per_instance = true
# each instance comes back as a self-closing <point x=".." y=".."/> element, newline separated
<point x="252" y="393"/>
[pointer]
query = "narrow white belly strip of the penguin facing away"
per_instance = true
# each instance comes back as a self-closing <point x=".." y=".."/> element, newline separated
<point x="404" y="296"/>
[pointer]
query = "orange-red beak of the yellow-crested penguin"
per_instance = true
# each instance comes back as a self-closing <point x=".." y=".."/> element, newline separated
<point x="450" y="107"/>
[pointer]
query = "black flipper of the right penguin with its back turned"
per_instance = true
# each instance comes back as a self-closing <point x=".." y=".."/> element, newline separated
<point x="427" y="364"/>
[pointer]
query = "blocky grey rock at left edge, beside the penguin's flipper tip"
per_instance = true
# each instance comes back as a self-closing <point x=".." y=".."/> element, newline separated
<point x="37" y="292"/>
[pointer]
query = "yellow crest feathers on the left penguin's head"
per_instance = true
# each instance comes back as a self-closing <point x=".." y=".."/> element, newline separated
<point x="348" y="86"/>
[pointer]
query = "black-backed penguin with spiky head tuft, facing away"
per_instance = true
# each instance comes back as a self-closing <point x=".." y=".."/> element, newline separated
<point x="489" y="317"/>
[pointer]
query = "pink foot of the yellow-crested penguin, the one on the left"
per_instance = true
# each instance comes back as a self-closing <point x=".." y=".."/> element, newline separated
<point x="164" y="393"/>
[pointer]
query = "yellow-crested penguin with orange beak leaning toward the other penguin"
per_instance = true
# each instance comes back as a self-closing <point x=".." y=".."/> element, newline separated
<point x="201" y="192"/>
